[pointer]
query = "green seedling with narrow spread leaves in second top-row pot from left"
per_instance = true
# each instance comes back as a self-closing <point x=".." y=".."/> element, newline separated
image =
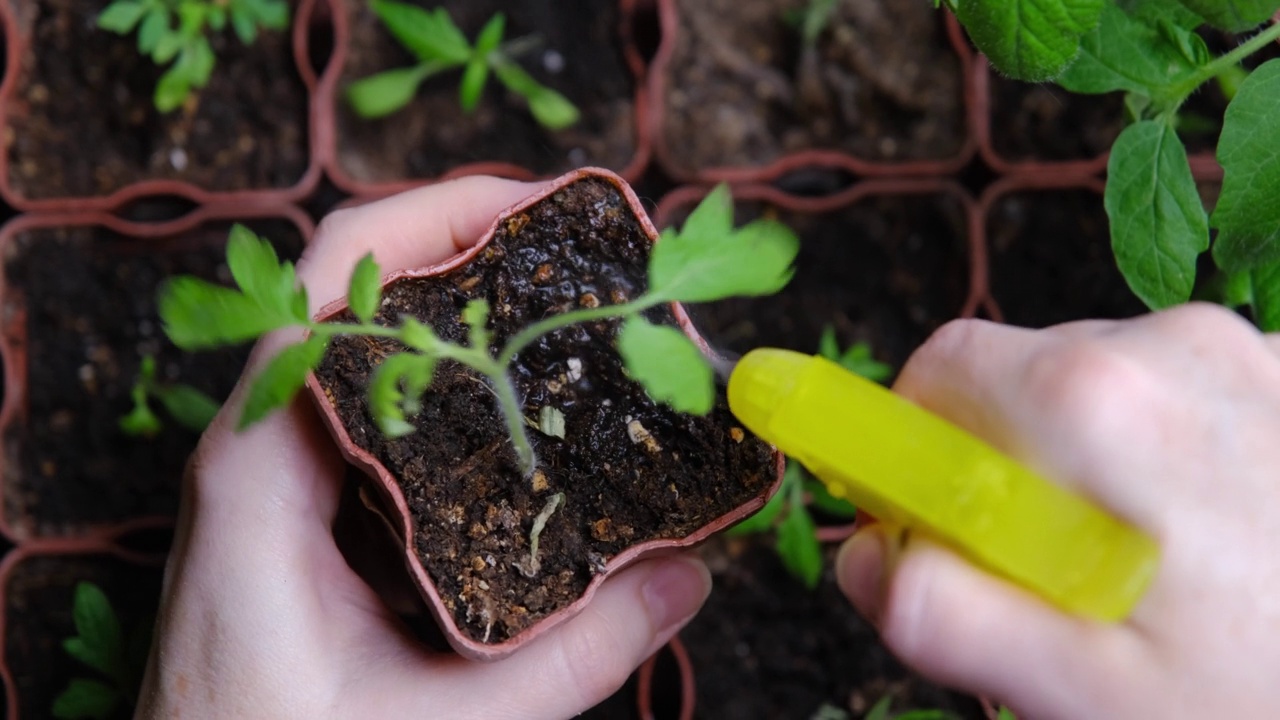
<point x="440" y="47"/>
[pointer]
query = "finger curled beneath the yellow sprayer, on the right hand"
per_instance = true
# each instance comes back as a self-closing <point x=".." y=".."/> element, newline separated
<point x="964" y="628"/>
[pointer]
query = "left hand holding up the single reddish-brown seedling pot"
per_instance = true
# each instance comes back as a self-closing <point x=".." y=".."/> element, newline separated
<point x="262" y="617"/>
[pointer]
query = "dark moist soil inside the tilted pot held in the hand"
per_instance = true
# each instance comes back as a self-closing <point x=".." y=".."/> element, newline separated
<point x="472" y="508"/>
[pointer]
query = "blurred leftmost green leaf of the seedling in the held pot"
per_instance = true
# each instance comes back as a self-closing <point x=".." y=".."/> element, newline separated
<point x="199" y="315"/>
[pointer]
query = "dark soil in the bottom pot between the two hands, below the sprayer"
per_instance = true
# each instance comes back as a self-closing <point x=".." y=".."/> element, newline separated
<point x="765" y="648"/>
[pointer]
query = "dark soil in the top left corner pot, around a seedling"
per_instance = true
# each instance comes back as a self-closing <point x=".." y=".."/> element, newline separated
<point x="83" y="120"/>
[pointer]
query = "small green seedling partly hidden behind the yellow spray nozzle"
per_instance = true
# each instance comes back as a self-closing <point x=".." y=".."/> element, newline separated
<point x="787" y="513"/>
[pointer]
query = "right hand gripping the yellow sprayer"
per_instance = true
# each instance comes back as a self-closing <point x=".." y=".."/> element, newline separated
<point x="1172" y="422"/>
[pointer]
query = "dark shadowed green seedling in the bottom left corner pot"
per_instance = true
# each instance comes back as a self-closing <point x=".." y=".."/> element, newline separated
<point x="102" y="645"/>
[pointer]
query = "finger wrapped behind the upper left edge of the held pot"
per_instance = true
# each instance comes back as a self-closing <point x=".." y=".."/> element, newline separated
<point x="415" y="229"/>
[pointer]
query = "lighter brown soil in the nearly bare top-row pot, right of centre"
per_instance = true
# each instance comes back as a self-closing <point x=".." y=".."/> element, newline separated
<point x="883" y="84"/>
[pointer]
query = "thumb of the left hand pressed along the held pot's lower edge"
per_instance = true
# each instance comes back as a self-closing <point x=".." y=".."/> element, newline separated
<point x="575" y="667"/>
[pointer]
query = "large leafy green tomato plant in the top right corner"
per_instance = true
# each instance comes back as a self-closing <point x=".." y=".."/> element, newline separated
<point x="1151" y="51"/>
